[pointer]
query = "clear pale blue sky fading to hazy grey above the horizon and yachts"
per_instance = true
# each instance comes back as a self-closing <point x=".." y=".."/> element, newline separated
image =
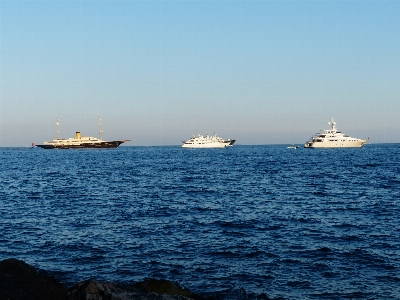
<point x="263" y="72"/>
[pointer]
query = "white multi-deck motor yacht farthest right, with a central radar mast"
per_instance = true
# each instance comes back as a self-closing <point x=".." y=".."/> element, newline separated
<point x="332" y="138"/>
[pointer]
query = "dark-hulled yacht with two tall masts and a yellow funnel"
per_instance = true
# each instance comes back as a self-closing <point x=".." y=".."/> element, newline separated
<point x="80" y="141"/>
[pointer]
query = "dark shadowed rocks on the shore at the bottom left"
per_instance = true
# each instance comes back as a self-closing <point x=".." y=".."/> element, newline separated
<point x="20" y="281"/>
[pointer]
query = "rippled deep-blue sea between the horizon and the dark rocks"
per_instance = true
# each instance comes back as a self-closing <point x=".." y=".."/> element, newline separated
<point x="279" y="223"/>
